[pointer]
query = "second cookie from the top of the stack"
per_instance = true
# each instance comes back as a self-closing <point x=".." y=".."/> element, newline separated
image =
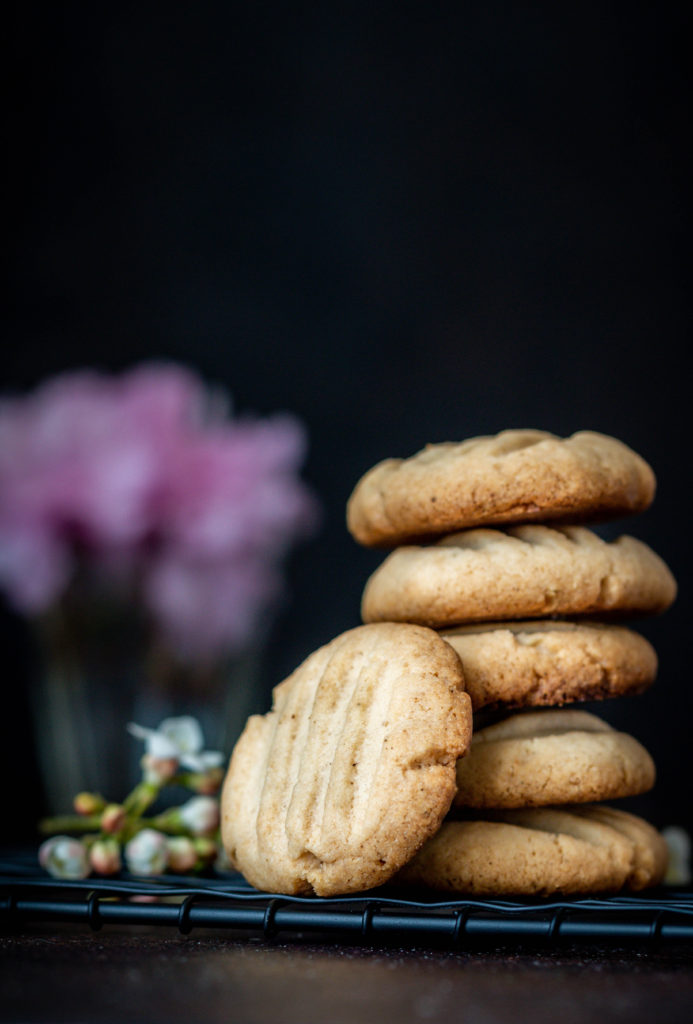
<point x="521" y="573"/>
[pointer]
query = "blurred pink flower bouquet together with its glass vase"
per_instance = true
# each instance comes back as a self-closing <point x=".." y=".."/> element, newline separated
<point x="143" y="531"/>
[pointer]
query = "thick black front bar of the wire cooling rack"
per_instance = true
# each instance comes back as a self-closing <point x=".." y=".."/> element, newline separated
<point x="276" y="916"/>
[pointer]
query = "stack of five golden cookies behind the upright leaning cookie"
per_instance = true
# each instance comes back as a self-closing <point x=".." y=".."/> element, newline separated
<point x="489" y="552"/>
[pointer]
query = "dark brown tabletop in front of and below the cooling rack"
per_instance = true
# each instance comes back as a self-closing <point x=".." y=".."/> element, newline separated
<point x="61" y="972"/>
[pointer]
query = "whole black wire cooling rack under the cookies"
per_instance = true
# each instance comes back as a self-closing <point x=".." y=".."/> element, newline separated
<point x="228" y="903"/>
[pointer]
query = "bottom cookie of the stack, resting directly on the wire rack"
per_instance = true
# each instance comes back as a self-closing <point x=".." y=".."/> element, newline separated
<point x="541" y="852"/>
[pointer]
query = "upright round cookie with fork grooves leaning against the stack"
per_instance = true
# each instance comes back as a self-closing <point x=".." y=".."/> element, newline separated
<point x="354" y="769"/>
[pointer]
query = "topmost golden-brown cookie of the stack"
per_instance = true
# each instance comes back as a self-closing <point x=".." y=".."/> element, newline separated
<point x="515" y="477"/>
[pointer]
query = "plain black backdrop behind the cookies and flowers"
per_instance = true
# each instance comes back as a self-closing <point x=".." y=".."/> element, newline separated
<point x="404" y="223"/>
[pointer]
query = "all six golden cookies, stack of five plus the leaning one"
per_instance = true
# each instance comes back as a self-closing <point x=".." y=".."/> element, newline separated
<point x="427" y="746"/>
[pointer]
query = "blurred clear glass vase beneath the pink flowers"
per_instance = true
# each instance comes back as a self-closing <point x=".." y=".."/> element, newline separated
<point x="101" y="669"/>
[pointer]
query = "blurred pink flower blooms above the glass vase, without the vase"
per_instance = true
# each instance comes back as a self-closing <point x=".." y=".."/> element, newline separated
<point x="145" y="480"/>
